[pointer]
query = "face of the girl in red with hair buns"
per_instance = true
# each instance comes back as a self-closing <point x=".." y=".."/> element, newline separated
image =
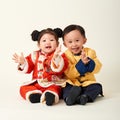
<point x="48" y="43"/>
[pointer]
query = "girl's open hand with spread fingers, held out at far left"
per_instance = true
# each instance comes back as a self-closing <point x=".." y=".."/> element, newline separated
<point x="19" y="59"/>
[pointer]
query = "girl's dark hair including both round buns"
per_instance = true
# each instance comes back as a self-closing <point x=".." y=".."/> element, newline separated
<point x="36" y="35"/>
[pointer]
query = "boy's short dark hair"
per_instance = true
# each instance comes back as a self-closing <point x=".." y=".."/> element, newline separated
<point x="72" y="27"/>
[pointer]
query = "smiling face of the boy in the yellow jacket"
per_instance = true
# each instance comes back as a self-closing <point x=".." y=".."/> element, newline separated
<point x="74" y="41"/>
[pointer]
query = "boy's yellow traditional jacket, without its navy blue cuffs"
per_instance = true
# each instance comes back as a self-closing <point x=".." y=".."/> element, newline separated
<point x="73" y="76"/>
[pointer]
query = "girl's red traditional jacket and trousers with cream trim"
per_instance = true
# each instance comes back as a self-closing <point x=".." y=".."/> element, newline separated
<point x="46" y="75"/>
